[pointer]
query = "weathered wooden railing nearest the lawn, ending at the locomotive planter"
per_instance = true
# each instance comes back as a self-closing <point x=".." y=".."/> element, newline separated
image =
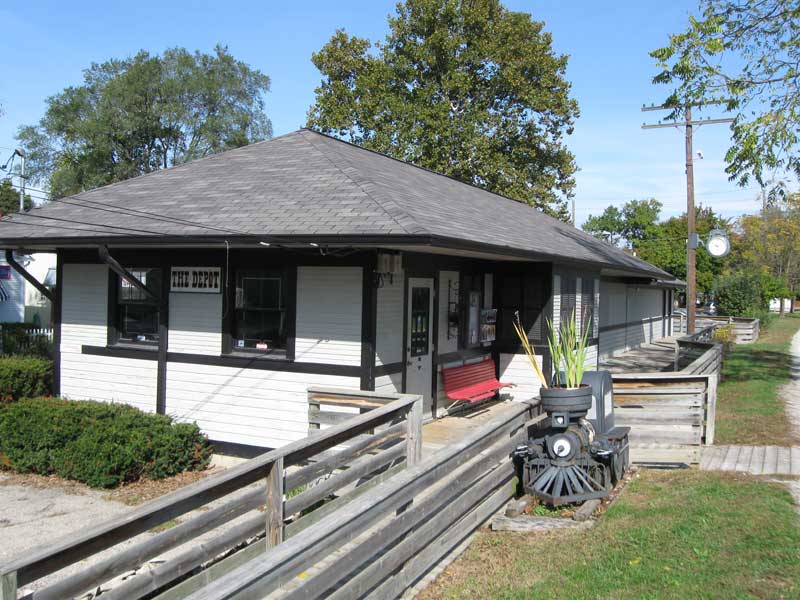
<point x="381" y="543"/>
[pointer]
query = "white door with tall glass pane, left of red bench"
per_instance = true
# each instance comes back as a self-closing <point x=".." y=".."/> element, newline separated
<point x="419" y="340"/>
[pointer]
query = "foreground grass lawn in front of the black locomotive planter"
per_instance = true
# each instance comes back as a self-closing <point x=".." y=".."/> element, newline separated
<point x="672" y="534"/>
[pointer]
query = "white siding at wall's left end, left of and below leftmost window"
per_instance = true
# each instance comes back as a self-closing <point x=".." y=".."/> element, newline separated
<point x="89" y="377"/>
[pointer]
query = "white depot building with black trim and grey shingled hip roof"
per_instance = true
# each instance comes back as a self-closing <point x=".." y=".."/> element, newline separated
<point x="219" y="290"/>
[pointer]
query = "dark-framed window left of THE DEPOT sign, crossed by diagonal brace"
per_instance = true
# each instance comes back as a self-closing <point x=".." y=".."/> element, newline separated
<point x="138" y="313"/>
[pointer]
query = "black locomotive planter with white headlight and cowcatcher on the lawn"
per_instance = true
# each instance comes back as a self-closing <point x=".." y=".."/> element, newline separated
<point x="570" y="461"/>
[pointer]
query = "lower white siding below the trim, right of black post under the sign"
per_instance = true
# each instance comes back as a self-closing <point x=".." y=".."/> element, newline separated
<point x="245" y="406"/>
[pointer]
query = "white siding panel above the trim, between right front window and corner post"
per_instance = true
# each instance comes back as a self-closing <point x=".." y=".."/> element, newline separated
<point x="328" y="326"/>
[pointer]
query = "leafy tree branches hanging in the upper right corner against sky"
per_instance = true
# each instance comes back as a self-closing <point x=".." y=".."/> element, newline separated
<point x="744" y="55"/>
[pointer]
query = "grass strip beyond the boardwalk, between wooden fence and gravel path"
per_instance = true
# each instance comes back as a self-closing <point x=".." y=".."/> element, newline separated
<point x="749" y="410"/>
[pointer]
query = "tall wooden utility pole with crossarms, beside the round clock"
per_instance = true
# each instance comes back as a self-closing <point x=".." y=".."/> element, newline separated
<point x="692" y="238"/>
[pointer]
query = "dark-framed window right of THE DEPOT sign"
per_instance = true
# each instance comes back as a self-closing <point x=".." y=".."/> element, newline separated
<point x="260" y="321"/>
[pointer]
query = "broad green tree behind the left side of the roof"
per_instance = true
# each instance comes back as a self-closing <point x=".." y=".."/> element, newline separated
<point x="145" y="113"/>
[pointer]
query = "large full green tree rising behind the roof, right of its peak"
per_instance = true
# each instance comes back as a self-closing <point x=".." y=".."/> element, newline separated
<point x="463" y="87"/>
